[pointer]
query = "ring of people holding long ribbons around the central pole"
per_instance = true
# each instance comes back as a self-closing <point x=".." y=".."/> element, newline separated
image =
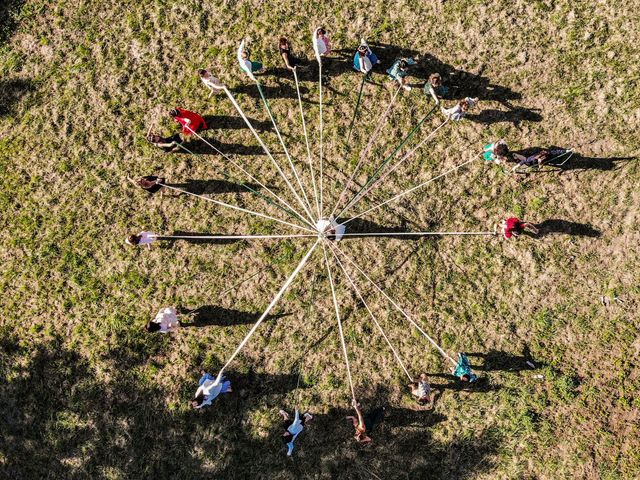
<point x="364" y="61"/>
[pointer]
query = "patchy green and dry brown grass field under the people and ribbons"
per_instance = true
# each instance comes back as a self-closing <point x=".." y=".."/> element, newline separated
<point x="86" y="393"/>
